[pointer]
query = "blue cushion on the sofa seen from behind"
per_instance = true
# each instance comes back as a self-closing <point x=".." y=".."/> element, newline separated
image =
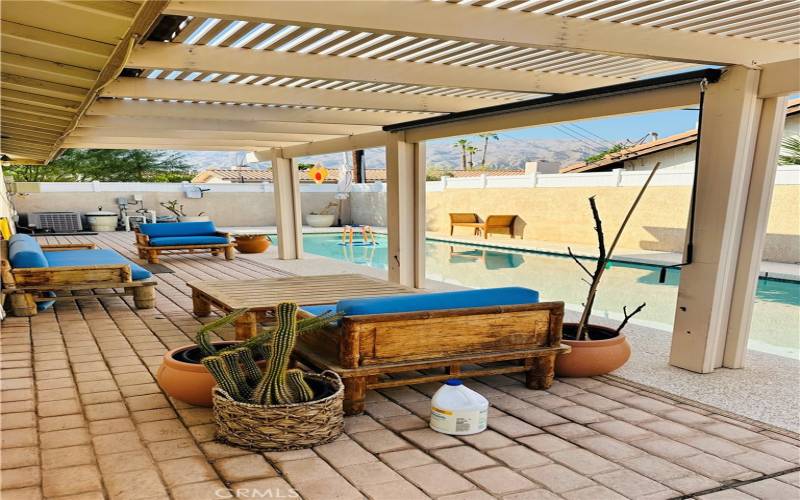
<point x="460" y="299"/>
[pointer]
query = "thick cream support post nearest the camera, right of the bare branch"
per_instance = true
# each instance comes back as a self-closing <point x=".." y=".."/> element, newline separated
<point x="730" y="113"/>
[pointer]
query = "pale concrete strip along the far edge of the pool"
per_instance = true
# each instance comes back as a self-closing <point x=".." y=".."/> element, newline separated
<point x="769" y="270"/>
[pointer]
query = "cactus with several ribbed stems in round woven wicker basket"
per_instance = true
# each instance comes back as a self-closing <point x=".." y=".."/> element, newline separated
<point x="282" y="408"/>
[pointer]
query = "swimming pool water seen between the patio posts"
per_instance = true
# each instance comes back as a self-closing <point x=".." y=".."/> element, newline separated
<point x="776" y="315"/>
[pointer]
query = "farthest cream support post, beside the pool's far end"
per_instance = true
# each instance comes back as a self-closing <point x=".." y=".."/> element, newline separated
<point x="287" y="207"/>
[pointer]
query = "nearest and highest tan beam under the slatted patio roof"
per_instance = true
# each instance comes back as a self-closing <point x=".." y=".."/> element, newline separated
<point x="497" y="26"/>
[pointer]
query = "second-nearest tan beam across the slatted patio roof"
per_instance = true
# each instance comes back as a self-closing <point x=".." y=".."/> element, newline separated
<point x="225" y="60"/>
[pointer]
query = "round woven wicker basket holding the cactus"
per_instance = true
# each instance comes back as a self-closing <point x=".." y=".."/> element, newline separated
<point x="282" y="427"/>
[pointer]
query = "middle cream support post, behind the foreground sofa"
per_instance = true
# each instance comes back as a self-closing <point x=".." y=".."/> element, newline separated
<point x="405" y="210"/>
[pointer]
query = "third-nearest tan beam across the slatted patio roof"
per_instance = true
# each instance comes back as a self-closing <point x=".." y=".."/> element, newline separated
<point x="257" y="94"/>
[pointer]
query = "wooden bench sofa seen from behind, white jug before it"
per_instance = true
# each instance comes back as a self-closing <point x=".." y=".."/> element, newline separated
<point x="431" y="332"/>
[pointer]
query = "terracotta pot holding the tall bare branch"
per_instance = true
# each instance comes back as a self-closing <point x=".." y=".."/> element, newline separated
<point x="589" y="358"/>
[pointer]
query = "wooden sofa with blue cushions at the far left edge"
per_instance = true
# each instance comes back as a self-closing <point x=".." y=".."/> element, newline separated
<point x="33" y="273"/>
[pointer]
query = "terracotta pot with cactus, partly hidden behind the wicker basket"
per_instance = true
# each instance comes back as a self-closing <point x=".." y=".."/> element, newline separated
<point x="182" y="374"/>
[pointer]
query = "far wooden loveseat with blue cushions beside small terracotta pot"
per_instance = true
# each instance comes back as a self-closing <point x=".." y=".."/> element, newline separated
<point x="153" y="240"/>
